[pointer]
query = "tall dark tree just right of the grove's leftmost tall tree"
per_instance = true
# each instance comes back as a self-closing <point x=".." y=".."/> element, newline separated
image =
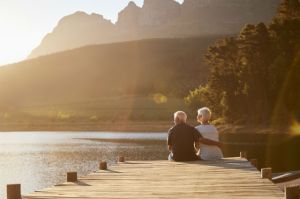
<point x="255" y="54"/>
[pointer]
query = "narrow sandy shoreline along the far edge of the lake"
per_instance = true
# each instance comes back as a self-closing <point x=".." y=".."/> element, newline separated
<point x="123" y="126"/>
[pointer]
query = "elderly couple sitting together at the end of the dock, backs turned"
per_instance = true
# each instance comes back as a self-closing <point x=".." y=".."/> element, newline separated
<point x="187" y="143"/>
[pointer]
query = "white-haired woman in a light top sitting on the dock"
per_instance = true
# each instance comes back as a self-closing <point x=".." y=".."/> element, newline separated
<point x="208" y="131"/>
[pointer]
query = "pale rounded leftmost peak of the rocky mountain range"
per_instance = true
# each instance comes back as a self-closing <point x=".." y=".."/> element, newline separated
<point x="76" y="30"/>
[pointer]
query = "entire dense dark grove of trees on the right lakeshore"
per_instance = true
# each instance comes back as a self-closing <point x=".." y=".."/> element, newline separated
<point x="255" y="75"/>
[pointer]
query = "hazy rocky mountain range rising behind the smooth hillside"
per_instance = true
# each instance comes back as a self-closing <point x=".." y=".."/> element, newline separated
<point x="156" y="19"/>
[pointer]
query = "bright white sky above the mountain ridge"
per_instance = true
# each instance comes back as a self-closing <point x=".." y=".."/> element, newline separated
<point x="24" y="23"/>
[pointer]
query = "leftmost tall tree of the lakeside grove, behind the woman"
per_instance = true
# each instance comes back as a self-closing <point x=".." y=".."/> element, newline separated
<point x="223" y="81"/>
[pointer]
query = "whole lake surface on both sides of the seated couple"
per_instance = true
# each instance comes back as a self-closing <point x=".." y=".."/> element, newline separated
<point x="41" y="159"/>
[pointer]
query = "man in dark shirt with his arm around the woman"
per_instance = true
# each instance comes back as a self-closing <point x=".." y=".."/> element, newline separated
<point x="184" y="140"/>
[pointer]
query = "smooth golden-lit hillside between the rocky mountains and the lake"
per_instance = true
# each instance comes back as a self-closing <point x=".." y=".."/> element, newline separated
<point x="141" y="80"/>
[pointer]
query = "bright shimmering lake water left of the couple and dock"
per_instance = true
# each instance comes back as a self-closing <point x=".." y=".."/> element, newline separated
<point x="38" y="160"/>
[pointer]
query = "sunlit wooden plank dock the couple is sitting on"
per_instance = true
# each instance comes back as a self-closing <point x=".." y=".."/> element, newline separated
<point x="227" y="178"/>
